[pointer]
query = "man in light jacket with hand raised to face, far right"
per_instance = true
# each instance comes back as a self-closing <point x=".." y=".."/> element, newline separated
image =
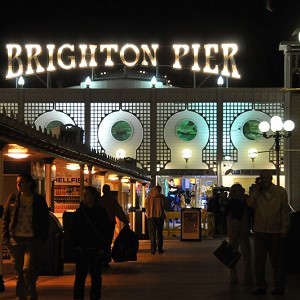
<point x="271" y="226"/>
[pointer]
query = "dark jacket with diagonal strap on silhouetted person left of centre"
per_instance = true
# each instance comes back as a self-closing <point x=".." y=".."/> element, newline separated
<point x="82" y="233"/>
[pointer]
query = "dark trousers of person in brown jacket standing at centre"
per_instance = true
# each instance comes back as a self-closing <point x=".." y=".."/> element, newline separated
<point x="156" y="226"/>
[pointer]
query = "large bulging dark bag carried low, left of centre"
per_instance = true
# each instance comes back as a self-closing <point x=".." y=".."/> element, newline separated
<point x="126" y="246"/>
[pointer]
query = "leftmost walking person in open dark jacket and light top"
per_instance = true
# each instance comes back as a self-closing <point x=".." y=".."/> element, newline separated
<point x="25" y="228"/>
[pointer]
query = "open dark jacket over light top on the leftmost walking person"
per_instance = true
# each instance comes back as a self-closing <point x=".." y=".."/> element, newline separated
<point x="40" y="217"/>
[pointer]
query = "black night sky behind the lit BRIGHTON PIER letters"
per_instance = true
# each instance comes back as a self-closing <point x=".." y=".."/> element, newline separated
<point x="247" y="23"/>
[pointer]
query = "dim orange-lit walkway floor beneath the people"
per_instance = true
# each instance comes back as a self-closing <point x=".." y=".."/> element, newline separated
<point x="187" y="270"/>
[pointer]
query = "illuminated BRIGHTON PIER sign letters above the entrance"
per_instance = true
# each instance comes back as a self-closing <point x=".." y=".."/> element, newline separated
<point x="33" y="59"/>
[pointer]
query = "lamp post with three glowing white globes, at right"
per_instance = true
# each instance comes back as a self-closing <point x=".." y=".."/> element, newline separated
<point x="279" y="130"/>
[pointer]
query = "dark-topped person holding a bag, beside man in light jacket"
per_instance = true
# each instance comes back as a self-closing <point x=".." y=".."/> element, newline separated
<point x="238" y="231"/>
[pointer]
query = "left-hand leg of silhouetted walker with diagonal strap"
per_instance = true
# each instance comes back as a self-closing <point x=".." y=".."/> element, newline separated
<point x="80" y="275"/>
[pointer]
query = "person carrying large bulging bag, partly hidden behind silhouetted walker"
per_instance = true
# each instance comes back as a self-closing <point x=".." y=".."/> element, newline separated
<point x="113" y="210"/>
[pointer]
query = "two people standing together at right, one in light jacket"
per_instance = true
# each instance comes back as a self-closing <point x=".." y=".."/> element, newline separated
<point x="265" y="211"/>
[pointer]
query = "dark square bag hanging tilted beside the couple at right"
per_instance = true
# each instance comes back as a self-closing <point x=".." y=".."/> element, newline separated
<point x="227" y="254"/>
